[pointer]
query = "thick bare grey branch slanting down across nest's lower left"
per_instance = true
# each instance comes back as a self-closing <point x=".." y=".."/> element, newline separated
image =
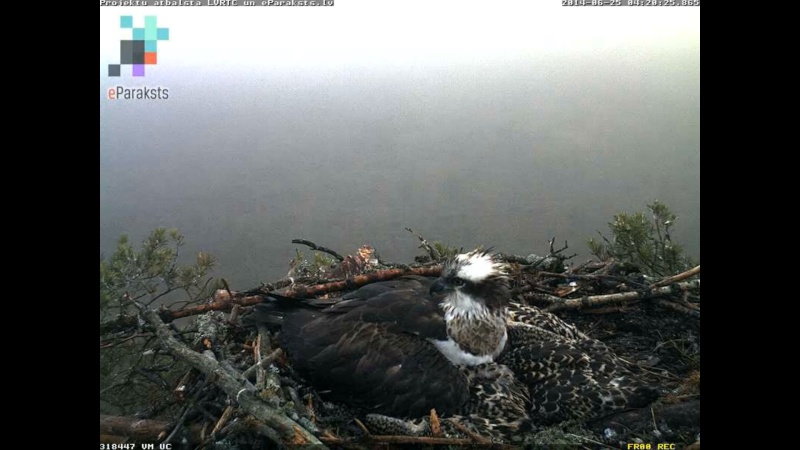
<point x="238" y="388"/>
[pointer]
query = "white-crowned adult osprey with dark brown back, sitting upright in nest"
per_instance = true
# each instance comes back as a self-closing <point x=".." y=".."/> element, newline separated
<point x="400" y="347"/>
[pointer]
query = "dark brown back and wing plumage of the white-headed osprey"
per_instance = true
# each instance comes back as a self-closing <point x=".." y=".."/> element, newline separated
<point x="371" y="350"/>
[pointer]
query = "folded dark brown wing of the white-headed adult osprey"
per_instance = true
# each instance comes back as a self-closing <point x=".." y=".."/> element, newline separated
<point x="376" y="366"/>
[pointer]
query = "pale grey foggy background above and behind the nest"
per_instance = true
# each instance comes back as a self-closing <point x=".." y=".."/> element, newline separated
<point x="343" y="125"/>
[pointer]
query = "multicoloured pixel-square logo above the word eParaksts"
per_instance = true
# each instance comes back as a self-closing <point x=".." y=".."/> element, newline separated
<point x="142" y="49"/>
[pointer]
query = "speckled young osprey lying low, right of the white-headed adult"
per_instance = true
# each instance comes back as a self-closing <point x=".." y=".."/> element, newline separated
<point x="569" y="374"/>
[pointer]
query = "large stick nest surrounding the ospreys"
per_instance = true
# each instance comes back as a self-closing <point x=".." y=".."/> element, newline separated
<point x="240" y="391"/>
